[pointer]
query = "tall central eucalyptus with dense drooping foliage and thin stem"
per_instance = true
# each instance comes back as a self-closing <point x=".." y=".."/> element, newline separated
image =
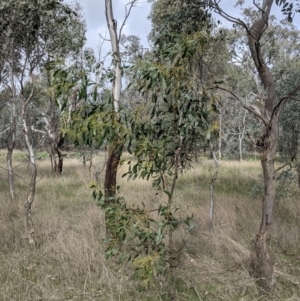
<point x="166" y="127"/>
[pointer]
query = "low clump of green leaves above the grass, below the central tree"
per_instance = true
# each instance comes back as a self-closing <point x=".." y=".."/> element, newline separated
<point x="133" y="235"/>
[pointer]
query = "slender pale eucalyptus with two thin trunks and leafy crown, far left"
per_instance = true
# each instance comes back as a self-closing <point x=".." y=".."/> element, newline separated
<point x="29" y="30"/>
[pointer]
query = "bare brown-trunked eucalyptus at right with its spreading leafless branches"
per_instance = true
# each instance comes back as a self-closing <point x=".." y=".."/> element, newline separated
<point x="256" y="30"/>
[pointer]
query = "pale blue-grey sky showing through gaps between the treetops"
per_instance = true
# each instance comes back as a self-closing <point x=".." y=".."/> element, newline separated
<point x="138" y="23"/>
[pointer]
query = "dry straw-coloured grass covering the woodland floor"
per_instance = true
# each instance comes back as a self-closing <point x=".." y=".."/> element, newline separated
<point x="69" y="262"/>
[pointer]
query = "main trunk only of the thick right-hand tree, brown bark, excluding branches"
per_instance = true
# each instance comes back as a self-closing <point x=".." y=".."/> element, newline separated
<point x="263" y="267"/>
